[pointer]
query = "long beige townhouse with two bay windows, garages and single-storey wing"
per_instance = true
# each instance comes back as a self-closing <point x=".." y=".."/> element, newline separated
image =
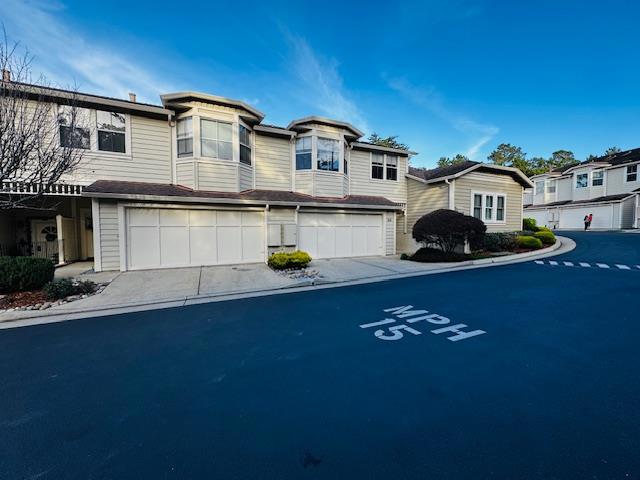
<point x="201" y="180"/>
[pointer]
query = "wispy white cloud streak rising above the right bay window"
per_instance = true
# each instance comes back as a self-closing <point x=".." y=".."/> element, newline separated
<point x="322" y="85"/>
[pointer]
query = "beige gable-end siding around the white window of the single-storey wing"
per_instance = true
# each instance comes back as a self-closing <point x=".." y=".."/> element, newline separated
<point x="479" y="182"/>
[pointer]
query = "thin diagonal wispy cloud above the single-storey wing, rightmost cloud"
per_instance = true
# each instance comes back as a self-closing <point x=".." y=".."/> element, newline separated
<point x="431" y="100"/>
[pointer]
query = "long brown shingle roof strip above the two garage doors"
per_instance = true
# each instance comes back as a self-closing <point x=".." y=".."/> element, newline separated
<point x="266" y="196"/>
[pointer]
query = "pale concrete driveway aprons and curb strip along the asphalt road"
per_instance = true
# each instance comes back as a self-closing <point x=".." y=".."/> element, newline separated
<point x="153" y="289"/>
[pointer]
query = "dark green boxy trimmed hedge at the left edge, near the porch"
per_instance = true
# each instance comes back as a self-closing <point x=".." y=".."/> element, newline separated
<point x="18" y="274"/>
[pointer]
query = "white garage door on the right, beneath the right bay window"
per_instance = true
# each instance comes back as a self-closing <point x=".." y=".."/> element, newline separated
<point x="327" y="235"/>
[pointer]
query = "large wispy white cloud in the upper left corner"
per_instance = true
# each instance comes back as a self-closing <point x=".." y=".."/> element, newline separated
<point x="67" y="58"/>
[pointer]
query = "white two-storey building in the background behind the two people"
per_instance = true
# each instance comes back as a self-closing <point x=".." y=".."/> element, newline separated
<point x="606" y="187"/>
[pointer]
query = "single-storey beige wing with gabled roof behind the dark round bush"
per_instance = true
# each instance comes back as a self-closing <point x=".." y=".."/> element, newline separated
<point x="489" y="192"/>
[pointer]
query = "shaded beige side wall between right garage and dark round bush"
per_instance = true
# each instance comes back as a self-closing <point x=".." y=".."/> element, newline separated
<point x="421" y="199"/>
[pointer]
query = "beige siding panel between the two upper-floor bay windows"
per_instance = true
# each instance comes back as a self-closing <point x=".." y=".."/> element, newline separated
<point x="272" y="163"/>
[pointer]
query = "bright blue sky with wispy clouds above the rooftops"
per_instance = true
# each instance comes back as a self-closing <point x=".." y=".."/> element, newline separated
<point x="446" y="77"/>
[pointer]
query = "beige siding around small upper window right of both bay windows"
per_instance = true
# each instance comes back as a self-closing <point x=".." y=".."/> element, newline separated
<point x="361" y="182"/>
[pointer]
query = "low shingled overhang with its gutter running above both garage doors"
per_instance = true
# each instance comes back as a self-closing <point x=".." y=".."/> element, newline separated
<point x="172" y="193"/>
